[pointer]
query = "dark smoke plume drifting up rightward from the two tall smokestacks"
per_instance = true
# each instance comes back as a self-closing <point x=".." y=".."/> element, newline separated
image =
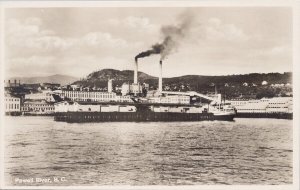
<point x="172" y="36"/>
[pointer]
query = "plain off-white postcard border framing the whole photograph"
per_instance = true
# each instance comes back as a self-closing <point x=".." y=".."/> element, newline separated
<point x="295" y="4"/>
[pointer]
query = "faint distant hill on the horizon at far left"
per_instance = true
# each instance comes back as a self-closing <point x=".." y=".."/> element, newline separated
<point x="61" y="79"/>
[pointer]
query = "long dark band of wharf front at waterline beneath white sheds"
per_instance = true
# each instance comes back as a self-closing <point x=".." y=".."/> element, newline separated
<point x="79" y="117"/>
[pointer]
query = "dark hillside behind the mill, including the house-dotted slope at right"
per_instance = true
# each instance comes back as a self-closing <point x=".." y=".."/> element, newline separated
<point x="231" y="85"/>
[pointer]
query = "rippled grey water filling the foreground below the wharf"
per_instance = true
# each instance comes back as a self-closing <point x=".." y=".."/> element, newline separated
<point x="247" y="151"/>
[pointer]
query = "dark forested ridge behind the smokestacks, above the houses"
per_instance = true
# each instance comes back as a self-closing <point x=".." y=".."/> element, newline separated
<point x="100" y="78"/>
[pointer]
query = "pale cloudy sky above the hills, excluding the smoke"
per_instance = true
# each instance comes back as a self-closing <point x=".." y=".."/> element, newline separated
<point x="78" y="41"/>
